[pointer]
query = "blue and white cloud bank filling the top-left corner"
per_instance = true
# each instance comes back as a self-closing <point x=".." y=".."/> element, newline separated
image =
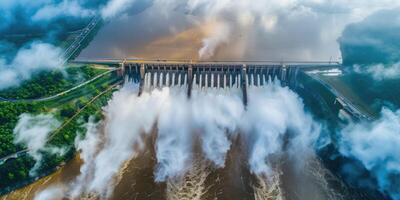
<point x="39" y="23"/>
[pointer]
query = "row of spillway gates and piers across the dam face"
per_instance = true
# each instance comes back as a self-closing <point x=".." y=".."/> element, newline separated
<point x="212" y="75"/>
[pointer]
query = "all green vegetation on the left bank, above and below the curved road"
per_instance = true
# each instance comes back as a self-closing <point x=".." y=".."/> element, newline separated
<point x="73" y="109"/>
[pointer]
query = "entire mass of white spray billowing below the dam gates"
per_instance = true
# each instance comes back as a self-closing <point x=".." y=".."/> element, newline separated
<point x="211" y="115"/>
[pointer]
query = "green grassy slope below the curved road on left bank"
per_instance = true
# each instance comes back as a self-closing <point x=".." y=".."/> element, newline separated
<point x="73" y="109"/>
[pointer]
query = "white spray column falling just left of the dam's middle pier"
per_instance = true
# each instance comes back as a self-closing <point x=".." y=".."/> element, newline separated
<point x="174" y="140"/>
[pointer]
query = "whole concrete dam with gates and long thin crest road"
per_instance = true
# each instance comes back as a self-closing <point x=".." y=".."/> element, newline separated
<point x="210" y="74"/>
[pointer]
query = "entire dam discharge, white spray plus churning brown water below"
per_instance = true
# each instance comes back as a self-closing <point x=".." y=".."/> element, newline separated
<point x="163" y="145"/>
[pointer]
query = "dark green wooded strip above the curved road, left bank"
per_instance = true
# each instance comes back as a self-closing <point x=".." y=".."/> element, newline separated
<point x="45" y="84"/>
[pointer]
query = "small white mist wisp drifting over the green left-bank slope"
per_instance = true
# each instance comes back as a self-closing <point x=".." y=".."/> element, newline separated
<point x="33" y="131"/>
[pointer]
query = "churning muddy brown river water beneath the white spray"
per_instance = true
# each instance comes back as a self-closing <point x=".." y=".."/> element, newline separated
<point x="204" y="181"/>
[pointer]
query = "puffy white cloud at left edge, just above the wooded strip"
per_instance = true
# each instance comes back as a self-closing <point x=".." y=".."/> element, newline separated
<point x="30" y="59"/>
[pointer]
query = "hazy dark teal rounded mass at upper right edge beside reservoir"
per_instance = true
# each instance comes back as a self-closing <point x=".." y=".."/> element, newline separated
<point x="373" y="40"/>
